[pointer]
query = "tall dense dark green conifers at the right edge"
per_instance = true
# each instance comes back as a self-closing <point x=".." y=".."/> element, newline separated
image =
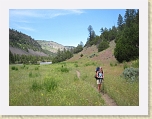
<point x="127" y="39"/>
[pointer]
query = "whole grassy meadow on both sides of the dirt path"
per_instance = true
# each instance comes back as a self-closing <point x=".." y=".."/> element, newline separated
<point x="58" y="85"/>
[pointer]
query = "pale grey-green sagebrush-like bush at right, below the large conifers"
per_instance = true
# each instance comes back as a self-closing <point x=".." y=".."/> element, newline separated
<point x="131" y="74"/>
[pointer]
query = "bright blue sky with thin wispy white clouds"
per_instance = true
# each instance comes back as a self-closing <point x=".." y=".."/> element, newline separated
<point x="64" y="26"/>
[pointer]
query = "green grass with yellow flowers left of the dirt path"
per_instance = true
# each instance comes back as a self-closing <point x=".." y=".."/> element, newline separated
<point x="51" y="87"/>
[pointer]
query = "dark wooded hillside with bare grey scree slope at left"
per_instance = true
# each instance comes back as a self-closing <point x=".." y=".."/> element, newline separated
<point x="20" y="43"/>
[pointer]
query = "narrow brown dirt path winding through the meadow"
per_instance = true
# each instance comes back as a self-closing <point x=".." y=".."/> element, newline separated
<point x="107" y="99"/>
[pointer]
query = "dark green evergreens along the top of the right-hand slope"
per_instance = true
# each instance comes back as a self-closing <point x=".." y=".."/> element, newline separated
<point x="125" y="35"/>
